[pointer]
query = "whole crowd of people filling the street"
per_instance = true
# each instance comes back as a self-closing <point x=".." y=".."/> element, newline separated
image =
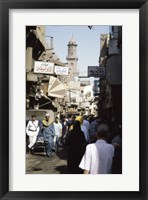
<point x="93" y="145"/>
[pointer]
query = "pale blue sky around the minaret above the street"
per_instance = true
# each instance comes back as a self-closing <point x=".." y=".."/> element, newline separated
<point x="88" y="41"/>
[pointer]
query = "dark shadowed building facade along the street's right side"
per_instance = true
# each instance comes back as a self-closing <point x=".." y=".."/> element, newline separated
<point x="110" y="95"/>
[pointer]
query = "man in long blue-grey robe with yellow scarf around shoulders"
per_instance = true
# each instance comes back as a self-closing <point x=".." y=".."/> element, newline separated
<point x="48" y="133"/>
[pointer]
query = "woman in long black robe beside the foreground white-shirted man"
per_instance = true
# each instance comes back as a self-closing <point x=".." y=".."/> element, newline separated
<point x="76" y="144"/>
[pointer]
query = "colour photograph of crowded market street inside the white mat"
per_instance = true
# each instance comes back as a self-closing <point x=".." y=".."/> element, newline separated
<point x="73" y="99"/>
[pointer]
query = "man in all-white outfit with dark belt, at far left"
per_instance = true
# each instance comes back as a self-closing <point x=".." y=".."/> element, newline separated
<point x="32" y="131"/>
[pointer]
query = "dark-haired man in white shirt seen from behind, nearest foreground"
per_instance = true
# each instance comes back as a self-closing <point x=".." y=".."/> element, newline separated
<point x="98" y="157"/>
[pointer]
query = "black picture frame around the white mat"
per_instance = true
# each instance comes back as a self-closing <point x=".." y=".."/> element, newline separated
<point x="5" y="5"/>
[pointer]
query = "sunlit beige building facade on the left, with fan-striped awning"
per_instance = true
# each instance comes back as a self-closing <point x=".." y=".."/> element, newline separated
<point x="38" y="95"/>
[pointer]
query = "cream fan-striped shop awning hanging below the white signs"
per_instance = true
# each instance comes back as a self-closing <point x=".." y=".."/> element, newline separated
<point x="56" y="88"/>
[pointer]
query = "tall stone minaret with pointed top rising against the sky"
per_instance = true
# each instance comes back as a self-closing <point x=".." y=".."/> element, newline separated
<point x="72" y="56"/>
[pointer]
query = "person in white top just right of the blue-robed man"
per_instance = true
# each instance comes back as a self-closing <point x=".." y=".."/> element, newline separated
<point x="58" y="133"/>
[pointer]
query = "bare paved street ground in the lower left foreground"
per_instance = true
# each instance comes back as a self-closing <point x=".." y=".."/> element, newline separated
<point x="38" y="163"/>
